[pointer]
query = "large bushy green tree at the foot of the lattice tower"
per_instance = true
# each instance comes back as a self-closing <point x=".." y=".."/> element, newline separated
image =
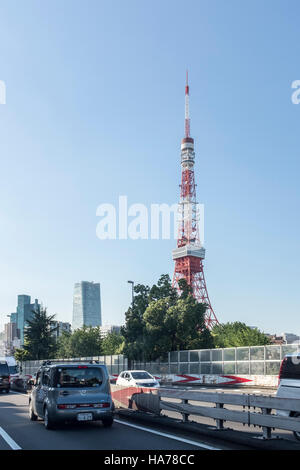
<point x="159" y="321"/>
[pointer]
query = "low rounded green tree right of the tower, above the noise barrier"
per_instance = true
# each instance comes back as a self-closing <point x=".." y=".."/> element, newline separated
<point x="227" y="335"/>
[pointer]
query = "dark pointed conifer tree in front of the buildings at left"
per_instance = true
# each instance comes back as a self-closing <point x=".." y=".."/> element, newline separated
<point x="39" y="342"/>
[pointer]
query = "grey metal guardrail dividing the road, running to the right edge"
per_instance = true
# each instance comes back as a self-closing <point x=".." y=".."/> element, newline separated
<point x="264" y="418"/>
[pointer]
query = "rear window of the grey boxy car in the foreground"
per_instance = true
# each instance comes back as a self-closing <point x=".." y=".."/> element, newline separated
<point x="73" y="377"/>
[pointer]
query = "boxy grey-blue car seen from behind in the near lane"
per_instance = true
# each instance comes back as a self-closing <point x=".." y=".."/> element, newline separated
<point x="71" y="392"/>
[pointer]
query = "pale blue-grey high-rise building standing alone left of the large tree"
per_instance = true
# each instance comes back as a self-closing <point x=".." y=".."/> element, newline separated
<point x="86" y="305"/>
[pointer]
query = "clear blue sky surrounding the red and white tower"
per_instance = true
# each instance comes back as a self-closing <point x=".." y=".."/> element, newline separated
<point x="95" y="109"/>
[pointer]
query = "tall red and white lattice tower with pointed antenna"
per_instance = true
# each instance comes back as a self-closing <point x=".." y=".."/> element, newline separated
<point x="189" y="254"/>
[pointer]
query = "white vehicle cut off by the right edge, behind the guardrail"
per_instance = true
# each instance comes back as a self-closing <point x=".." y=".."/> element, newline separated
<point x="289" y="384"/>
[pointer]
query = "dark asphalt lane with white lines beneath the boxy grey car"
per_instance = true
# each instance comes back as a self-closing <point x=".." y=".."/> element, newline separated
<point x="18" y="432"/>
